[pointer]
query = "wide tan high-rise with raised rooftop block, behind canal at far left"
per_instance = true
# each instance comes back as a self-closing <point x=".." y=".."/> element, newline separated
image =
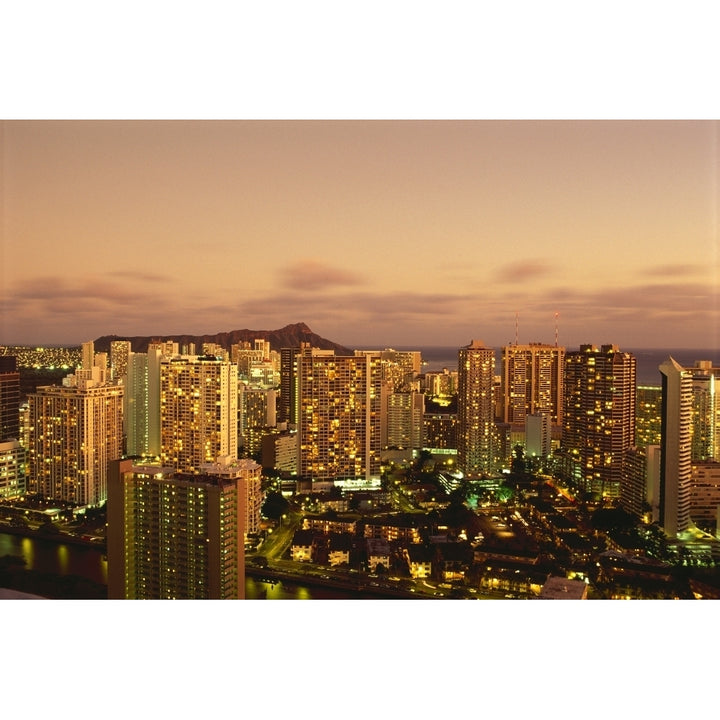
<point x="75" y="430"/>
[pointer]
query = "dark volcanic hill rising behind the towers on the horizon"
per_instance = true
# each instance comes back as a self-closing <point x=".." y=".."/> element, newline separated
<point x="289" y="336"/>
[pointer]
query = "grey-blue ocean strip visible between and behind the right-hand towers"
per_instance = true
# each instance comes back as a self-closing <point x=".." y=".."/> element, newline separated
<point x="435" y="358"/>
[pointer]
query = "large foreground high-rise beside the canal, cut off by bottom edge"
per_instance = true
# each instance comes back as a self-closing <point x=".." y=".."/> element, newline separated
<point x="173" y="535"/>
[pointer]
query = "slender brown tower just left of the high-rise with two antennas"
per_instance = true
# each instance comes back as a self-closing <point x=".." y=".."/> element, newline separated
<point x="476" y="409"/>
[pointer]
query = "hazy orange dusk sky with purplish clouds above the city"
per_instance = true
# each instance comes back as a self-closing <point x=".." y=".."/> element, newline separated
<point x="374" y="233"/>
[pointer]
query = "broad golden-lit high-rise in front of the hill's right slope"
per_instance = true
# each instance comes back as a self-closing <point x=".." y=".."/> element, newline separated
<point x="339" y="418"/>
